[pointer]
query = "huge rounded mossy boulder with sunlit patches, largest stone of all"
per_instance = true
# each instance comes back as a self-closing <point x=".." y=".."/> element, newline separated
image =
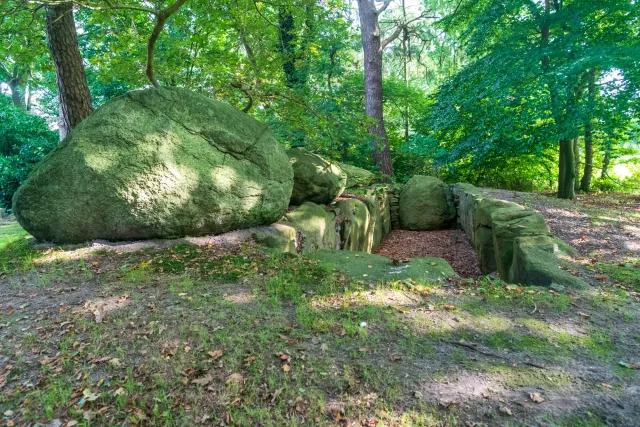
<point x="157" y="163"/>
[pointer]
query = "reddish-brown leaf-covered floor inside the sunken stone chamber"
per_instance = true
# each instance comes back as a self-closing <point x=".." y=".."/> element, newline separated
<point x="451" y="245"/>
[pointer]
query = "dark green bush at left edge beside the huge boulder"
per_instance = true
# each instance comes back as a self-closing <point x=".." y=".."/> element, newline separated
<point x="24" y="140"/>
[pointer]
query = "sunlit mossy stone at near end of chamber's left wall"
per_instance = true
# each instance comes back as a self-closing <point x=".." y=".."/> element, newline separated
<point x="316" y="225"/>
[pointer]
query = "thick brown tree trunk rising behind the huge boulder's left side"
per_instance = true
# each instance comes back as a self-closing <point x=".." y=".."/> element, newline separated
<point x="73" y="91"/>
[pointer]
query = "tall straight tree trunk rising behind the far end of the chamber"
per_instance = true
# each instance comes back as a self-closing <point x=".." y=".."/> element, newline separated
<point x="372" y="49"/>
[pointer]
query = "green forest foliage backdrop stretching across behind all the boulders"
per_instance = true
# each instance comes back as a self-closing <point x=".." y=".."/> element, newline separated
<point x="497" y="93"/>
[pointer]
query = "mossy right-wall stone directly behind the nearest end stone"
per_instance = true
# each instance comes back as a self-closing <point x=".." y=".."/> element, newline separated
<point x="509" y="223"/>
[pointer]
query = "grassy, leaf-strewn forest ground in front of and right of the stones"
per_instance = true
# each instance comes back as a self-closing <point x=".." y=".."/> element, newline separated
<point x="204" y="335"/>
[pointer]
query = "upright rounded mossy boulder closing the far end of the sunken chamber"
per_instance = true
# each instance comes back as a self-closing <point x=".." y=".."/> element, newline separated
<point x="426" y="203"/>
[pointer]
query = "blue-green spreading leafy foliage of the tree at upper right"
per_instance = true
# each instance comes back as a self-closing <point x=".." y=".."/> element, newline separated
<point x="522" y="92"/>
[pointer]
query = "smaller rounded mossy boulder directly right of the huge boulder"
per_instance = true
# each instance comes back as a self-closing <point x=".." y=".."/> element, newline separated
<point x="315" y="179"/>
